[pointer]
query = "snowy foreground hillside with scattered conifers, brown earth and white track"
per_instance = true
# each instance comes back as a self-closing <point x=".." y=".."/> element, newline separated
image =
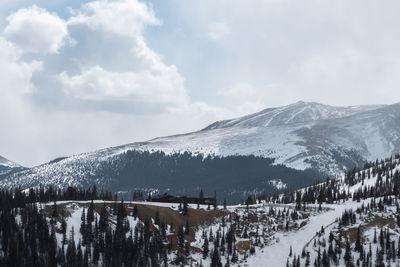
<point x="350" y="221"/>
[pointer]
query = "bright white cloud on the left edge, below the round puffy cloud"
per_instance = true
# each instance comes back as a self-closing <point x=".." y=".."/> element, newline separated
<point x="15" y="110"/>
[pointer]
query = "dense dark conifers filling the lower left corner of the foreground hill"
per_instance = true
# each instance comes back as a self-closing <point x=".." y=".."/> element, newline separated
<point x="29" y="238"/>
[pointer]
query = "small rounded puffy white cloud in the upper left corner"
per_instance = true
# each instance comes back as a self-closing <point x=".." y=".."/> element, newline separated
<point x="36" y="30"/>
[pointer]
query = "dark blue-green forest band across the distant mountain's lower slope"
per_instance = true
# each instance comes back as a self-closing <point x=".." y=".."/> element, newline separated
<point x="185" y="174"/>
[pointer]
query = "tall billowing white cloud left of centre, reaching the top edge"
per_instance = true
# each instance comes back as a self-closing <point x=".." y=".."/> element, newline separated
<point x="144" y="80"/>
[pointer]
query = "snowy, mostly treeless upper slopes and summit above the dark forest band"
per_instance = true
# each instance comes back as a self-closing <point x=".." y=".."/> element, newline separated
<point x="302" y="135"/>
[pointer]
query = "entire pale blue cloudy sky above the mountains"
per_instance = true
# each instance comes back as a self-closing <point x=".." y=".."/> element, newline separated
<point x="77" y="76"/>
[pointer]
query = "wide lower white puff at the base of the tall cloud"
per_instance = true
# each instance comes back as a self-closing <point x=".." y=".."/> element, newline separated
<point x="146" y="87"/>
